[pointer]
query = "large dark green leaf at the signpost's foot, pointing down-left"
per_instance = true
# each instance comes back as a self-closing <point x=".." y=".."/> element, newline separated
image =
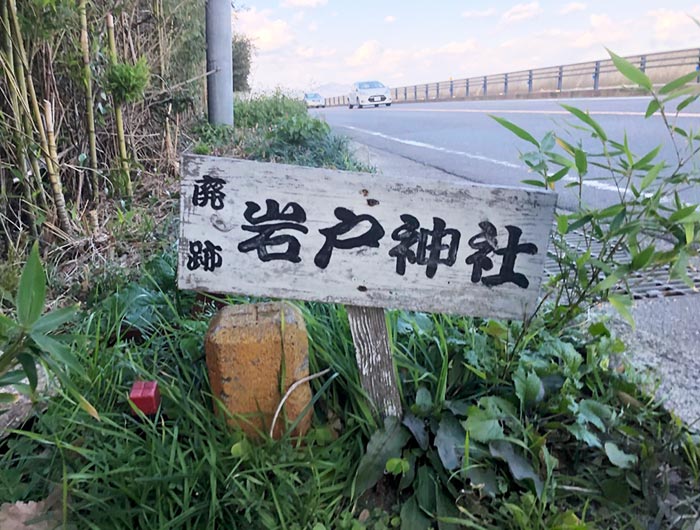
<point x="384" y="444"/>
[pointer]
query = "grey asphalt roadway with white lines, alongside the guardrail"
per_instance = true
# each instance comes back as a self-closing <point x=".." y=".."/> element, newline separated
<point x="461" y="138"/>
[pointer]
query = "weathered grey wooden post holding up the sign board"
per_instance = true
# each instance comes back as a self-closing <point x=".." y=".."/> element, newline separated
<point x="373" y="354"/>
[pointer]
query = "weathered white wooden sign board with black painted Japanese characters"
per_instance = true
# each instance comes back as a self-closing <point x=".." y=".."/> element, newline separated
<point x="293" y="232"/>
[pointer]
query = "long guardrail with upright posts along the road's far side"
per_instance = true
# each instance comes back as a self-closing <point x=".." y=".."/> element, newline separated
<point x="580" y="79"/>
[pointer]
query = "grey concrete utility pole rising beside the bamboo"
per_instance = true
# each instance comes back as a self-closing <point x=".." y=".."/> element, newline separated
<point x="219" y="59"/>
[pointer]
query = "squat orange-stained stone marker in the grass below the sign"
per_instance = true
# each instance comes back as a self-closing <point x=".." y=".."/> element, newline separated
<point x="249" y="349"/>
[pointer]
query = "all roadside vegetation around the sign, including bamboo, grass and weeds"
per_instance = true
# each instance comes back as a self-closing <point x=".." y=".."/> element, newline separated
<point x="525" y="425"/>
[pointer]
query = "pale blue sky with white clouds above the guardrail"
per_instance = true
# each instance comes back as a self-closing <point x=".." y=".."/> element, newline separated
<point x="327" y="45"/>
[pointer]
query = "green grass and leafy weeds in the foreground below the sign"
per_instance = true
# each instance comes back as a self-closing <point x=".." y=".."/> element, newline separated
<point x="186" y="468"/>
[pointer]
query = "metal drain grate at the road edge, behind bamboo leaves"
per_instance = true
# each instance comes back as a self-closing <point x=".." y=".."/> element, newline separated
<point x="652" y="284"/>
